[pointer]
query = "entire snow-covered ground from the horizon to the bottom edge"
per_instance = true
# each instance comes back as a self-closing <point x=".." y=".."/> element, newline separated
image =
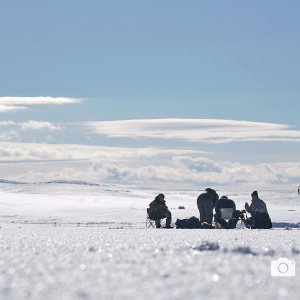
<point x="75" y="241"/>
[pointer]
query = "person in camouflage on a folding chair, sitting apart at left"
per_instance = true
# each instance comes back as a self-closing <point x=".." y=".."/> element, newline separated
<point x="158" y="210"/>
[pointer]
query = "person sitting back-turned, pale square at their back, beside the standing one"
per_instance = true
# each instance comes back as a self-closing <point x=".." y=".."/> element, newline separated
<point x="224" y="202"/>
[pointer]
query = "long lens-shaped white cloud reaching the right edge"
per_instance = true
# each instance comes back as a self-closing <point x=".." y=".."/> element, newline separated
<point x="196" y="130"/>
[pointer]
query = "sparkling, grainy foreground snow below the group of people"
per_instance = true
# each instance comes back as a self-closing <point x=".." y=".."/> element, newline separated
<point x="100" y="263"/>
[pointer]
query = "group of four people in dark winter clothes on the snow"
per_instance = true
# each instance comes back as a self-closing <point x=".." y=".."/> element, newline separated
<point x="207" y="202"/>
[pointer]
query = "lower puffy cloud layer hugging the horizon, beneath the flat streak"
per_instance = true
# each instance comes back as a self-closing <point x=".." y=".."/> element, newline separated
<point x="225" y="174"/>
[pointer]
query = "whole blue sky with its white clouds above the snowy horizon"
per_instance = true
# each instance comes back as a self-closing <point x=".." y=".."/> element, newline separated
<point x="157" y="93"/>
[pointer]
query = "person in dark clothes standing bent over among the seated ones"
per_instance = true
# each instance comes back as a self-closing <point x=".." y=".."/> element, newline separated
<point x="206" y="203"/>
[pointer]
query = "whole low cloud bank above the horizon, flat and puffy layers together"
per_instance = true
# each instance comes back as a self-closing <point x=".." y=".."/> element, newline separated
<point x="143" y="166"/>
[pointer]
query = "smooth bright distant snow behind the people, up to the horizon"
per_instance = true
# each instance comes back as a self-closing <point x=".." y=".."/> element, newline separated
<point x="119" y="206"/>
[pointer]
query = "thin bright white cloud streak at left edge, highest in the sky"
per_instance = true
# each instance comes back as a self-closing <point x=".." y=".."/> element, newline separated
<point x="8" y="104"/>
